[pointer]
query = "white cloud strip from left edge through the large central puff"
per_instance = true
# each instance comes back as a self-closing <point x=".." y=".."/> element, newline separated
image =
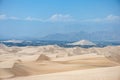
<point x="53" y="18"/>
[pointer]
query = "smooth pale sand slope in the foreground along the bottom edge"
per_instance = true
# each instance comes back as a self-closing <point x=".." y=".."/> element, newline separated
<point x="109" y="73"/>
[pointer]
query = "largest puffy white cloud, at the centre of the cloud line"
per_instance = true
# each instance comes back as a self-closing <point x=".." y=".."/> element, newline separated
<point x="60" y="18"/>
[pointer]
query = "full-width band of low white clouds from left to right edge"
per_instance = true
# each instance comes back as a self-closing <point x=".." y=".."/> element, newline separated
<point x="63" y="18"/>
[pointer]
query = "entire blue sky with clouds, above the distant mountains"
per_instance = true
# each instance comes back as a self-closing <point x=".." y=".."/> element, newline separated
<point x="38" y="18"/>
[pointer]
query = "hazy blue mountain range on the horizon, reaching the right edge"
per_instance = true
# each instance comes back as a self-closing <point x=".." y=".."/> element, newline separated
<point x="76" y="36"/>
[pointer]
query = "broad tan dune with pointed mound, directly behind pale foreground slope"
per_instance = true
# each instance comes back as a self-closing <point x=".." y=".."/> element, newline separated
<point x="45" y="66"/>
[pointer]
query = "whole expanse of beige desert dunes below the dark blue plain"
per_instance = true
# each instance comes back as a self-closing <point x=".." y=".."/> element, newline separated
<point x="57" y="63"/>
